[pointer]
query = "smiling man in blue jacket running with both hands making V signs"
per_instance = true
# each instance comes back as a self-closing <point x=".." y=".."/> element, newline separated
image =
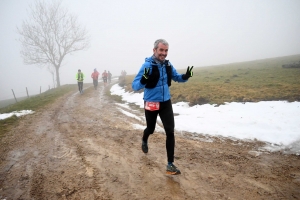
<point x="155" y="78"/>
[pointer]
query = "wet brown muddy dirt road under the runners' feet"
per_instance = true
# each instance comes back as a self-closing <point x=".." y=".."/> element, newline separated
<point x="84" y="147"/>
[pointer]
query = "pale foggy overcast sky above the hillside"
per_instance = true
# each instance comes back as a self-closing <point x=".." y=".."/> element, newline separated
<point x="200" y="33"/>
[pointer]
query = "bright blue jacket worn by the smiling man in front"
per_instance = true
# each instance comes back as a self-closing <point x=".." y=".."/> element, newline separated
<point x="160" y="92"/>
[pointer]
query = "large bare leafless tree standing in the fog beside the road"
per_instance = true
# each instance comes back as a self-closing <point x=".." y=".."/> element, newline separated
<point x="49" y="35"/>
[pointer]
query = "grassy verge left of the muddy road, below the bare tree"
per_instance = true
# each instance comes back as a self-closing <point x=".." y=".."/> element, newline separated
<point x="32" y="103"/>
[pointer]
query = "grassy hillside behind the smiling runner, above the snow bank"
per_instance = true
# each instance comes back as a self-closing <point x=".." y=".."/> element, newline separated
<point x="260" y="80"/>
